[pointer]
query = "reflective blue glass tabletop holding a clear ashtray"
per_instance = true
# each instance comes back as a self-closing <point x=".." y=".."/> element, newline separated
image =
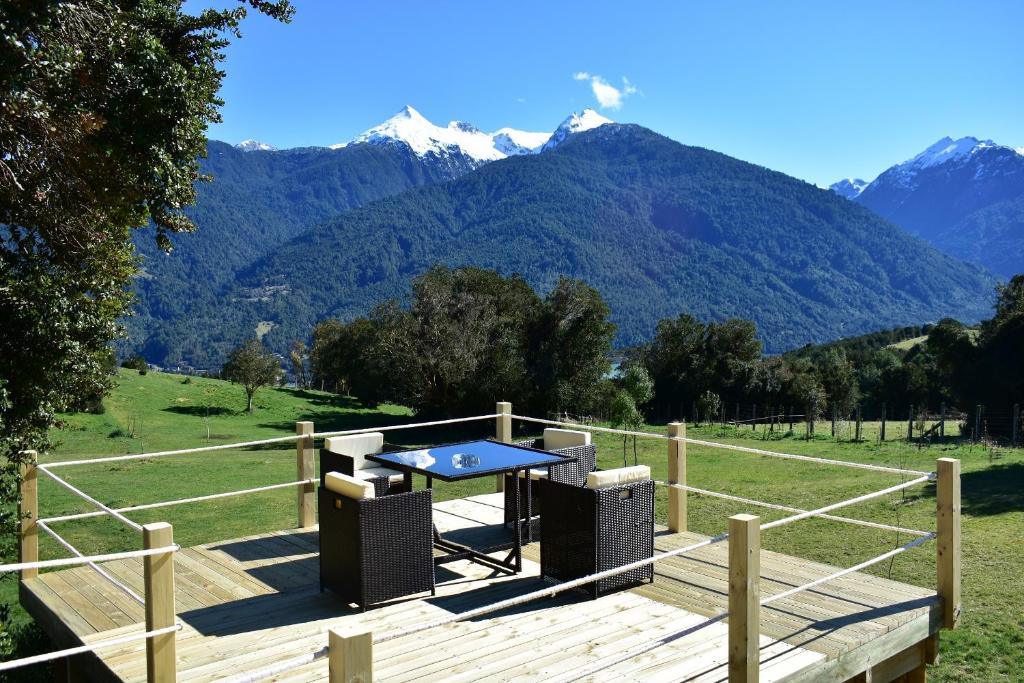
<point x="463" y="461"/>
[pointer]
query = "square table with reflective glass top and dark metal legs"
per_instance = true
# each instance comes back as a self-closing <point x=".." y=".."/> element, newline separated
<point x="466" y="461"/>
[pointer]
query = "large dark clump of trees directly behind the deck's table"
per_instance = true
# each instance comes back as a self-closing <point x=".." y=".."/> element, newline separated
<point x="468" y="338"/>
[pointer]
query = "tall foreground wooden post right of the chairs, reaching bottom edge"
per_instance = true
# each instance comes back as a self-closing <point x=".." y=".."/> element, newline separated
<point x="745" y="599"/>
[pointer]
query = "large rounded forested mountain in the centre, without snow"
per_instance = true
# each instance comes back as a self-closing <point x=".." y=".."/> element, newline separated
<point x="657" y="227"/>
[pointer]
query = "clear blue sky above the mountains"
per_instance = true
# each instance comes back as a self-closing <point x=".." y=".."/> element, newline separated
<point x="821" y="91"/>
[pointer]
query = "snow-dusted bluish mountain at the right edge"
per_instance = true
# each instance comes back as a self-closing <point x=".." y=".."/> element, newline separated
<point x="964" y="196"/>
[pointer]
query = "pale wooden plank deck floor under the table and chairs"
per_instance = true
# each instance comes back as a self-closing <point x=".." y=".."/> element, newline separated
<point x="251" y="603"/>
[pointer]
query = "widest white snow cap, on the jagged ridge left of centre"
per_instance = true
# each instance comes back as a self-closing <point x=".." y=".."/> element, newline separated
<point x="423" y="138"/>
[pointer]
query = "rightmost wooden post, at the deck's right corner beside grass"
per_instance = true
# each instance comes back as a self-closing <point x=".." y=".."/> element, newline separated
<point x="948" y="508"/>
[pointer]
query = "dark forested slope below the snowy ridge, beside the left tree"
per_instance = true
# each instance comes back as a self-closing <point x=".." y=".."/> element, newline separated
<point x="260" y="199"/>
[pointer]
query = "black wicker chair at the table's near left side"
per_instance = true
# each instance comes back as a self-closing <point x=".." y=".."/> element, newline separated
<point x="376" y="549"/>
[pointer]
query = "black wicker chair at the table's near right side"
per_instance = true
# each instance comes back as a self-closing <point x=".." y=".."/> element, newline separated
<point x="586" y="531"/>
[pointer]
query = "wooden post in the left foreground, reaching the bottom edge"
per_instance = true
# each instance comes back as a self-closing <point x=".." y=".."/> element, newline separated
<point x="158" y="577"/>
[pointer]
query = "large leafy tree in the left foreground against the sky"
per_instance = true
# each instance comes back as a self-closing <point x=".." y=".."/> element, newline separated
<point x="106" y="106"/>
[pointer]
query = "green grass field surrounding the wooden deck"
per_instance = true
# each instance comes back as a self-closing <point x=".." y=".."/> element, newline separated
<point x="159" y="412"/>
